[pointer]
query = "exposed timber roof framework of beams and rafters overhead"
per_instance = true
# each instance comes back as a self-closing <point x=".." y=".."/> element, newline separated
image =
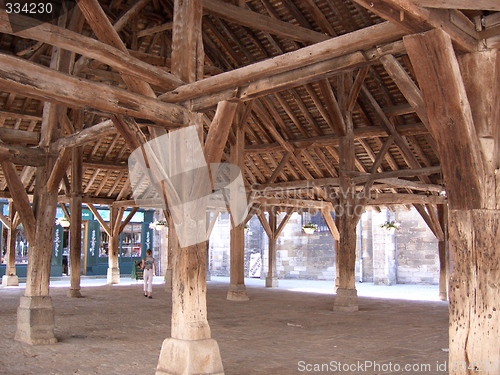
<point x="306" y="72"/>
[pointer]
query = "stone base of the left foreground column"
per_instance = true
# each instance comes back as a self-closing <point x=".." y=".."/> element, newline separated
<point x="35" y="320"/>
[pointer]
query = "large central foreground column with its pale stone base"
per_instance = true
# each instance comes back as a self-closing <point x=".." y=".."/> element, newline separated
<point x="190" y="349"/>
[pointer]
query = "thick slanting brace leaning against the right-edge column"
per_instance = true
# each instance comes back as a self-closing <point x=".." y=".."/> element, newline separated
<point x="450" y="116"/>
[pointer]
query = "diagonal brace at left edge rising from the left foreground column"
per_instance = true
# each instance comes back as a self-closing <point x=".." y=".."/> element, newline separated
<point x="21" y="200"/>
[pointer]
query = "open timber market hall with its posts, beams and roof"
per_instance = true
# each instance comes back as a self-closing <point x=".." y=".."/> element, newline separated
<point x="330" y="106"/>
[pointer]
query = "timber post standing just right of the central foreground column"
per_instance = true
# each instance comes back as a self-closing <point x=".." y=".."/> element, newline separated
<point x="237" y="290"/>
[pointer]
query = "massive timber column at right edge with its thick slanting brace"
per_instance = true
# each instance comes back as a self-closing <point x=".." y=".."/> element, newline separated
<point x="463" y="106"/>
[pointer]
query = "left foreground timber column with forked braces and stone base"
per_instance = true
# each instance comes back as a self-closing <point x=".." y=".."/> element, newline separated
<point x="35" y="314"/>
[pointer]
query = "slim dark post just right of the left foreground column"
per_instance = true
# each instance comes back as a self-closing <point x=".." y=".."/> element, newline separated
<point x="75" y="231"/>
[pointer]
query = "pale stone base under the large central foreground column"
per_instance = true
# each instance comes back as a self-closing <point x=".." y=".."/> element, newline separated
<point x="189" y="357"/>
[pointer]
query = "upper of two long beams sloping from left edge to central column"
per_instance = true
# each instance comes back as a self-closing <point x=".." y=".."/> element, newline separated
<point x="71" y="41"/>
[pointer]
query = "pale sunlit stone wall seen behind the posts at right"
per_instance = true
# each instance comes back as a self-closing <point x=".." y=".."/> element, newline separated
<point x="409" y="255"/>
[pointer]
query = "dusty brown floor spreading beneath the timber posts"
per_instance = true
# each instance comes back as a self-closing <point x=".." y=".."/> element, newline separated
<point x="287" y="330"/>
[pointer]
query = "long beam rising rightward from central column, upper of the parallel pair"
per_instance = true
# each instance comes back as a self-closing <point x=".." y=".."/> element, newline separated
<point x="335" y="47"/>
